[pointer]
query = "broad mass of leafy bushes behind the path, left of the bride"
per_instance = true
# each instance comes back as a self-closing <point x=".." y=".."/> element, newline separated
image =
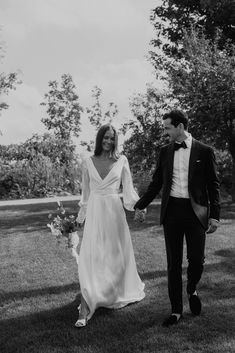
<point x="42" y="165"/>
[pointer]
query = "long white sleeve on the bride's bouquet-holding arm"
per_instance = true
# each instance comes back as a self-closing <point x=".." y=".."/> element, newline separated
<point x="85" y="193"/>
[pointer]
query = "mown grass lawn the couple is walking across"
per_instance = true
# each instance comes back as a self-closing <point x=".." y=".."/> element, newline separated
<point x="39" y="292"/>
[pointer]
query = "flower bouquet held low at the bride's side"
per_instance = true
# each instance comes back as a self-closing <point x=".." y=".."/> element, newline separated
<point x="63" y="226"/>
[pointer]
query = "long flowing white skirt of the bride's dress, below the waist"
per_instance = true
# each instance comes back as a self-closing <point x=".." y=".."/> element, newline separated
<point x="107" y="269"/>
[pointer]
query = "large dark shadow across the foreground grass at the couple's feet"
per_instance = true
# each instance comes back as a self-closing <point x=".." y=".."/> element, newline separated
<point x="131" y="329"/>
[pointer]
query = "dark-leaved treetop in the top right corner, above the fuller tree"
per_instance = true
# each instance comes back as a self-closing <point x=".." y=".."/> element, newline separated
<point x="173" y="16"/>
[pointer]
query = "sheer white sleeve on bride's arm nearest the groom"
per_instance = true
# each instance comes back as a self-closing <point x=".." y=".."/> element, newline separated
<point x="130" y="196"/>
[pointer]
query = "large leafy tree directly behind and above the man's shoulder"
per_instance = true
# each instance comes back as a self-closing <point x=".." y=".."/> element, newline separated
<point x="204" y="84"/>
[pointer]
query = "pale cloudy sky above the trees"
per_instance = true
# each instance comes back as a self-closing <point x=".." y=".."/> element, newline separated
<point x="101" y="43"/>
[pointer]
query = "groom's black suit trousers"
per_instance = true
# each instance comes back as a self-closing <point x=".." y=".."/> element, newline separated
<point x="181" y="220"/>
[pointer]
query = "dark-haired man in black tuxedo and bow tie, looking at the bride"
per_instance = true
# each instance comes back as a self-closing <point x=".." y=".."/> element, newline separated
<point x="186" y="173"/>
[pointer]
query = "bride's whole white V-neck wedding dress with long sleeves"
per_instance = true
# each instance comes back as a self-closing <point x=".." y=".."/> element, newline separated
<point x="107" y="270"/>
